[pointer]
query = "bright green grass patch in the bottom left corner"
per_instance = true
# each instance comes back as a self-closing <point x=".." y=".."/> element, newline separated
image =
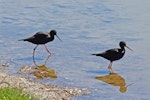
<point x="9" y="93"/>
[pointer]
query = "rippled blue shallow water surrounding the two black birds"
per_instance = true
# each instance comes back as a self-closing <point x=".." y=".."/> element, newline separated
<point x="85" y="28"/>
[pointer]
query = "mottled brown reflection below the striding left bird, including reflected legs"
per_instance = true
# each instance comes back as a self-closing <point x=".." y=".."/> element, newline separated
<point x="39" y="71"/>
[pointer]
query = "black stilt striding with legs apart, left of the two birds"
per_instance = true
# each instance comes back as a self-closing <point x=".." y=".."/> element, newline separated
<point x="41" y="38"/>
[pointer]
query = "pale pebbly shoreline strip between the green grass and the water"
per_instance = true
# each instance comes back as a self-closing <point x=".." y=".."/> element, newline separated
<point x="40" y="90"/>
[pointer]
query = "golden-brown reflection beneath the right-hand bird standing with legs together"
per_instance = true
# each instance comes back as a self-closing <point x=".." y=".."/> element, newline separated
<point x="114" y="79"/>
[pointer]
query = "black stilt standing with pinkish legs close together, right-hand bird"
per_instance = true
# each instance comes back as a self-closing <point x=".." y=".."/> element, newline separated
<point x="114" y="54"/>
